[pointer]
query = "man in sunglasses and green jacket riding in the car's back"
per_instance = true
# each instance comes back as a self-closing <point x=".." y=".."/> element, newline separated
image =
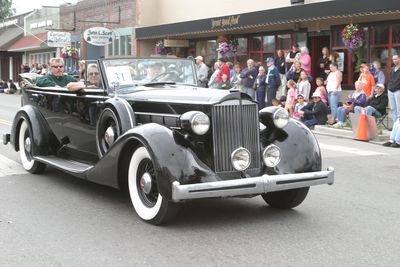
<point x="56" y="77"/>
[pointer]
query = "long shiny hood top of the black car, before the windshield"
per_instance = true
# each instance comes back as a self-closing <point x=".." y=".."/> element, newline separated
<point x="181" y="94"/>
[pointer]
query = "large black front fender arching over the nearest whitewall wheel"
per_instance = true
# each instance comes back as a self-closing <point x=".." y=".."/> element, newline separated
<point x="172" y="162"/>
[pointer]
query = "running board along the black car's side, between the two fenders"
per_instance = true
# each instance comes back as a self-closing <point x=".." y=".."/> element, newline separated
<point x="67" y="165"/>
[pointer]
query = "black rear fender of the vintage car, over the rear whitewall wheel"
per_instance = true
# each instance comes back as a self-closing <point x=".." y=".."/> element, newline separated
<point x="44" y="141"/>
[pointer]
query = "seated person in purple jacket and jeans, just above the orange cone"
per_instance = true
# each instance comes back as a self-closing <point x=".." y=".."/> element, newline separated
<point x="354" y="99"/>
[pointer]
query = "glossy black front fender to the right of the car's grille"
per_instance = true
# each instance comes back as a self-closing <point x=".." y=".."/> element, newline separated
<point x="300" y="151"/>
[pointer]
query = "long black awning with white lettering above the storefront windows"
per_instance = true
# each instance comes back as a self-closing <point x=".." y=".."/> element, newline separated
<point x="299" y="13"/>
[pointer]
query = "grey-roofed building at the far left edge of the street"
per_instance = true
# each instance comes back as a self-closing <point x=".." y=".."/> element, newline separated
<point x="10" y="31"/>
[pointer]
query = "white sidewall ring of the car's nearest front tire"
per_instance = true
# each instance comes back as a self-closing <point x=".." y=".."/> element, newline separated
<point x="141" y="209"/>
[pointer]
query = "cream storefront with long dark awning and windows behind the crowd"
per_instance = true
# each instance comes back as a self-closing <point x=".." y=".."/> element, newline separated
<point x="259" y="29"/>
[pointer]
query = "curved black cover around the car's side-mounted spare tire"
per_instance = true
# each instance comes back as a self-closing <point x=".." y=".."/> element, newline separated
<point x="124" y="114"/>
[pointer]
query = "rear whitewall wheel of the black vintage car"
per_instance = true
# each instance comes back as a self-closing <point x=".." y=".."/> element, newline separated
<point x="25" y="150"/>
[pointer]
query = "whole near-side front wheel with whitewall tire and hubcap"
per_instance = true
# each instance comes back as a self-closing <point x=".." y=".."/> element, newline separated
<point x="143" y="189"/>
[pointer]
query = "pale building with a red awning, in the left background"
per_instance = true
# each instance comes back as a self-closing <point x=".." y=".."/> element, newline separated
<point x="33" y="44"/>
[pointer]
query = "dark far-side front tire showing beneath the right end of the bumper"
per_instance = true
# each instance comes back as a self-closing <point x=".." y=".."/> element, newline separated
<point x="286" y="199"/>
